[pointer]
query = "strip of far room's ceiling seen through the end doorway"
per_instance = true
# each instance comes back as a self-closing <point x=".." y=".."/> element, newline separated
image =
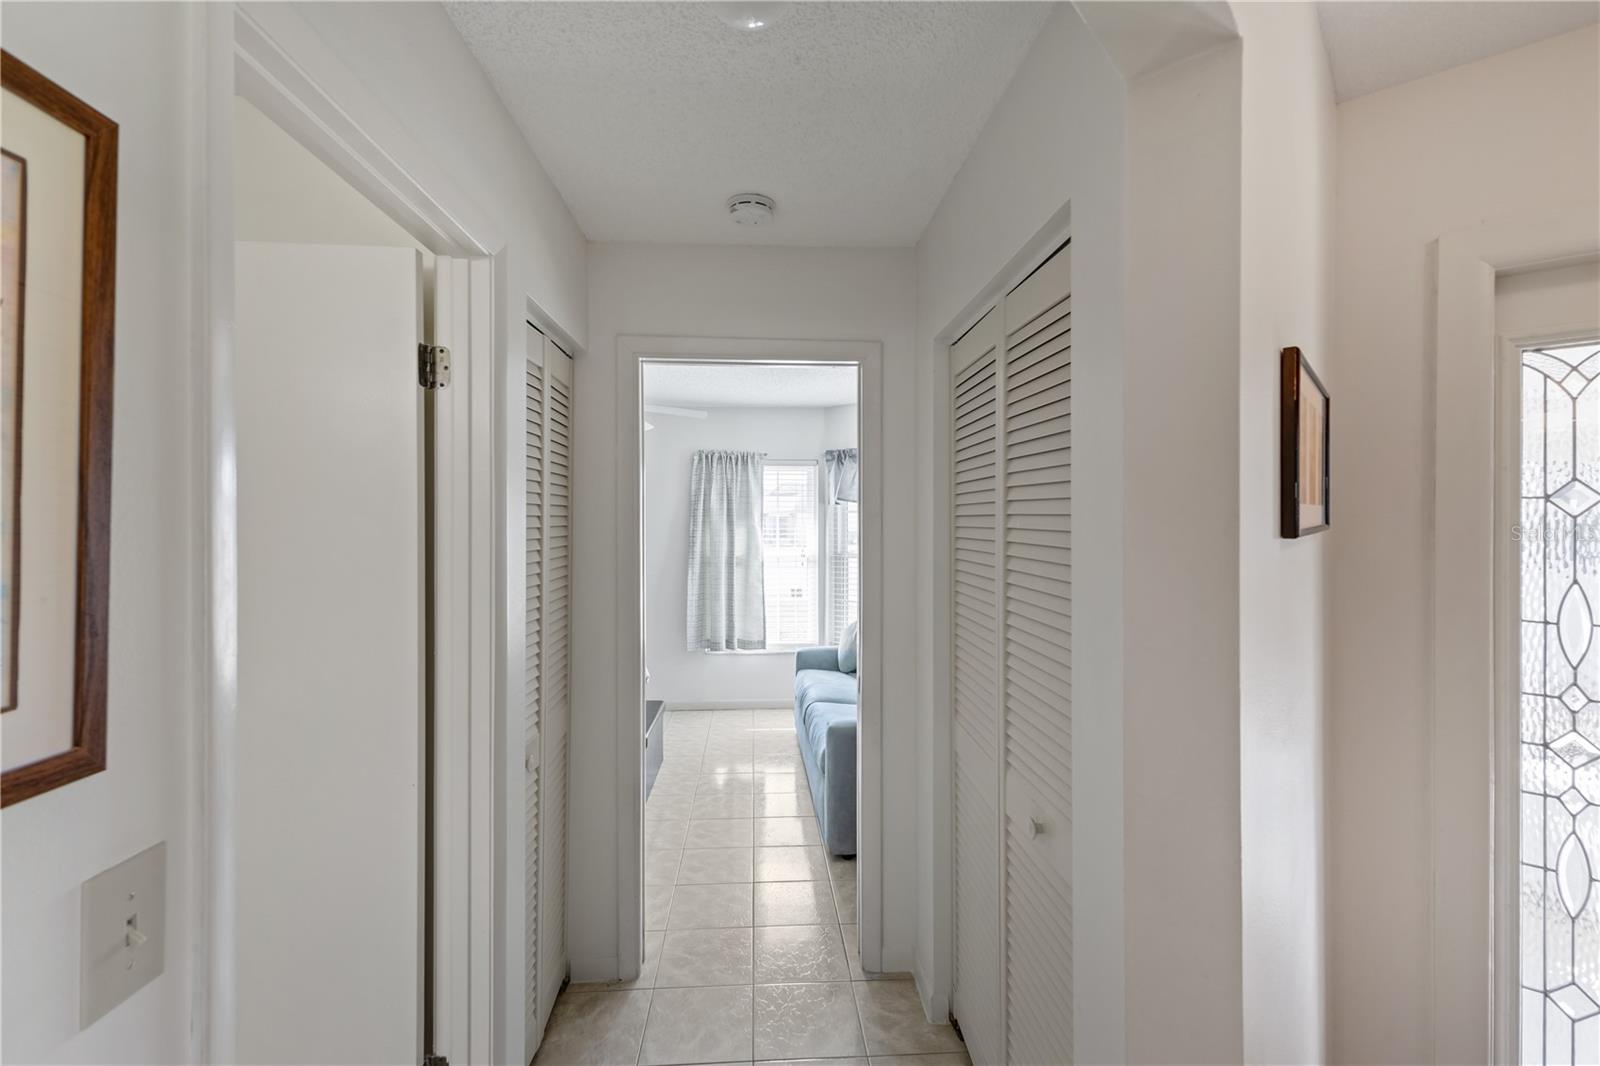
<point x="745" y="385"/>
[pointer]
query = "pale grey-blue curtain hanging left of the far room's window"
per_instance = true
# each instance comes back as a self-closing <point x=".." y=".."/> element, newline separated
<point x="727" y="603"/>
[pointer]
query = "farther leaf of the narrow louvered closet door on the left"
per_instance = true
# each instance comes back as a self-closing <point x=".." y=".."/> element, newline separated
<point x="556" y="705"/>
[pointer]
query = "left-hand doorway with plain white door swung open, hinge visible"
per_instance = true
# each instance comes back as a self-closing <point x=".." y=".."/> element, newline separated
<point x="348" y="569"/>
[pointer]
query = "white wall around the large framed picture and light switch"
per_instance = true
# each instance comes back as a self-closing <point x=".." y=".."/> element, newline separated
<point x="132" y="62"/>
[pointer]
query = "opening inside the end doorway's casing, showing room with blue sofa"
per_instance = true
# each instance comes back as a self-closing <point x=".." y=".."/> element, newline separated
<point x="751" y="601"/>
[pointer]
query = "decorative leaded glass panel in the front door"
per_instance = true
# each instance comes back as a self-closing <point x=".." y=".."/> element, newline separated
<point x="1559" y="713"/>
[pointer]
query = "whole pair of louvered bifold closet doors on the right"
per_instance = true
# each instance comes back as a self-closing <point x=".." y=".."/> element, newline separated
<point x="1012" y="438"/>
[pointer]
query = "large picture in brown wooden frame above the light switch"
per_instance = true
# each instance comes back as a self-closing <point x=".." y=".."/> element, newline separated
<point x="58" y="275"/>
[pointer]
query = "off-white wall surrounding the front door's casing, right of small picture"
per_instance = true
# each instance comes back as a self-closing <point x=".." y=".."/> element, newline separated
<point x="1511" y="135"/>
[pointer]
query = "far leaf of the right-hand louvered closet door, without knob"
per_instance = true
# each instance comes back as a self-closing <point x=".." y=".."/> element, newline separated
<point x="975" y="443"/>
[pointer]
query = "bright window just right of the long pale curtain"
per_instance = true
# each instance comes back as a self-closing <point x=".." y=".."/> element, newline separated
<point x="790" y="545"/>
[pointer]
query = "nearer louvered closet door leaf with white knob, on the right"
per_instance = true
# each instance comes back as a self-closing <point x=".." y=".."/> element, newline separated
<point x="1036" y="507"/>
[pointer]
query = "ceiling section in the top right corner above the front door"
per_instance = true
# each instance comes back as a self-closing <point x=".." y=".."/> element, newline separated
<point x="1377" y="44"/>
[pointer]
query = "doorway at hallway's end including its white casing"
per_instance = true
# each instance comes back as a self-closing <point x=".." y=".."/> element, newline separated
<point x="750" y="553"/>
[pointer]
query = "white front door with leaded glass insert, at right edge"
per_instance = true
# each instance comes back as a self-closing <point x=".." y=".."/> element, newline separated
<point x="1535" y="635"/>
